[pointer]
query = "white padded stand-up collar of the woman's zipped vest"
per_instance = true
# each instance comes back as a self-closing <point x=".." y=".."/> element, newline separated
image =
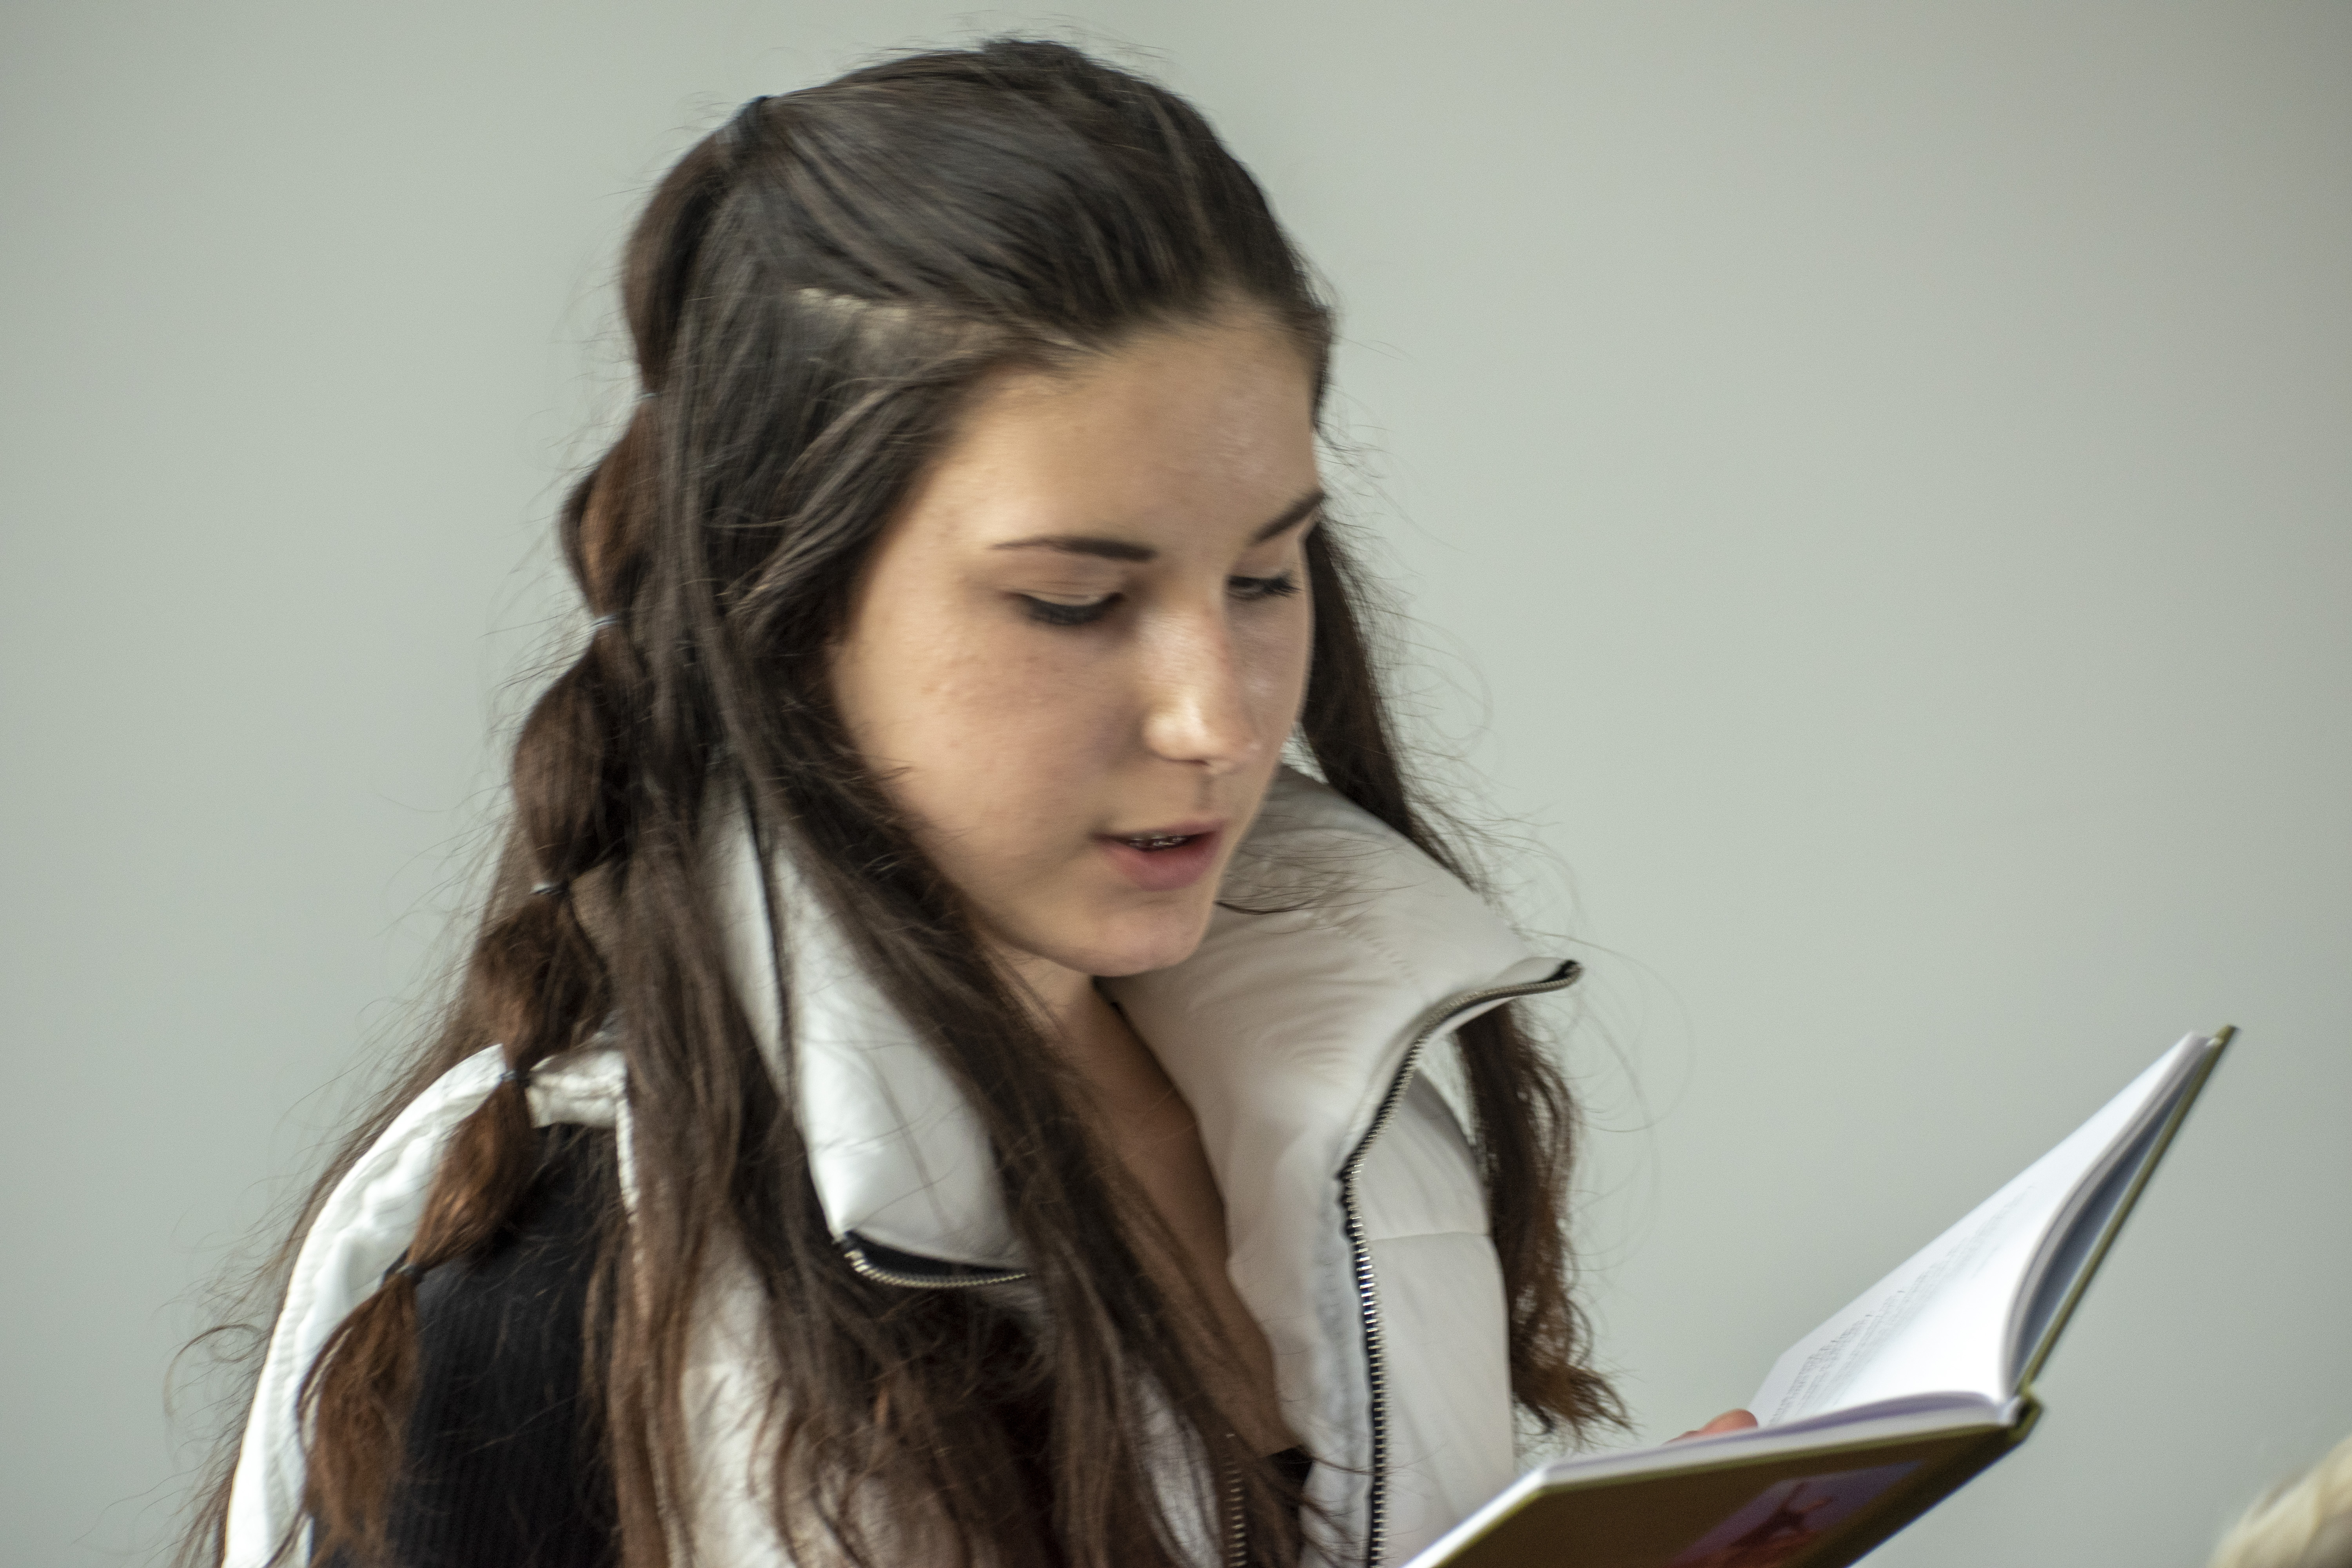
<point x="1337" y="949"/>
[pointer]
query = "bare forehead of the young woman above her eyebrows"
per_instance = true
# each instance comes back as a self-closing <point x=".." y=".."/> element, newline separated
<point x="1177" y="434"/>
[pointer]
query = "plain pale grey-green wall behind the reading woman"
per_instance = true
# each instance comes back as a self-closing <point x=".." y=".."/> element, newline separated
<point x="1873" y="485"/>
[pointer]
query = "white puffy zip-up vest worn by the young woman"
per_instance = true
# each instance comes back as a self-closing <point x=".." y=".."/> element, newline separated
<point x="1311" y="1036"/>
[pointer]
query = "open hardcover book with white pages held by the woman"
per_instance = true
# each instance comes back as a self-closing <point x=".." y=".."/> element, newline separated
<point x="1883" y="1412"/>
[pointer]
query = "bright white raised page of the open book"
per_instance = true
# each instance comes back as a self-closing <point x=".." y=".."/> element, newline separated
<point x="1942" y="1320"/>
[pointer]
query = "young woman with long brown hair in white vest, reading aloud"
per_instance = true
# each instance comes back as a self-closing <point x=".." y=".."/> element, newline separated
<point x="933" y="1087"/>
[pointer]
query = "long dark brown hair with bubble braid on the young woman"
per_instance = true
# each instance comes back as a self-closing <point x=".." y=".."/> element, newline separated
<point x="813" y="295"/>
